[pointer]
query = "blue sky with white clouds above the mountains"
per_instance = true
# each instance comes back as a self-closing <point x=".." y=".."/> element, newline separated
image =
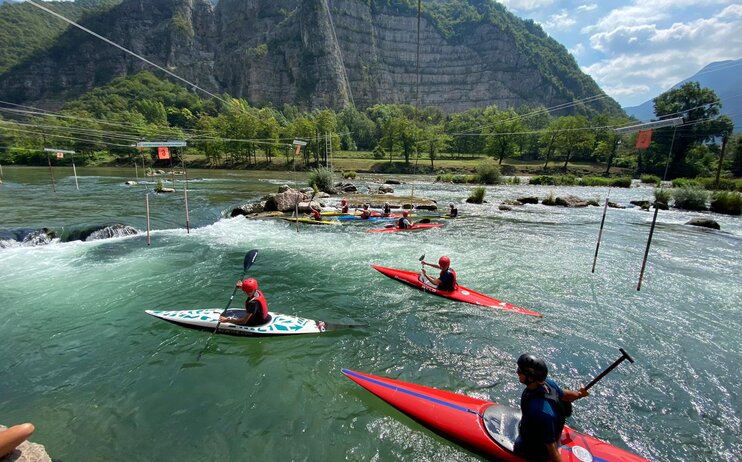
<point x="637" y="49"/>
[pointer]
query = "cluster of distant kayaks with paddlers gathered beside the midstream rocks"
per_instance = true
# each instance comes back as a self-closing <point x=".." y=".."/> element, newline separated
<point x="402" y="221"/>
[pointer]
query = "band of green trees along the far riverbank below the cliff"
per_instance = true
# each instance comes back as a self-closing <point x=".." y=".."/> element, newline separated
<point x="231" y="132"/>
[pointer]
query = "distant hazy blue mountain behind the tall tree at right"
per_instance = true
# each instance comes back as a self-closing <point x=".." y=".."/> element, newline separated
<point x="722" y="77"/>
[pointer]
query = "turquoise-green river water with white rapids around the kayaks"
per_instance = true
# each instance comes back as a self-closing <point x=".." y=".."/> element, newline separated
<point x="101" y="380"/>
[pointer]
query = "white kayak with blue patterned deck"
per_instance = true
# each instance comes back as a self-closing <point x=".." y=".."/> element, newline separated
<point x="278" y="324"/>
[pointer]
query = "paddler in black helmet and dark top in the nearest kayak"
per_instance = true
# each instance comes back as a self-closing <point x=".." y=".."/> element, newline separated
<point x="544" y="407"/>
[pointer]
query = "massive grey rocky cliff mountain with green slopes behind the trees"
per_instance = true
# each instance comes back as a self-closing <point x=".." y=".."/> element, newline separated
<point x="317" y="53"/>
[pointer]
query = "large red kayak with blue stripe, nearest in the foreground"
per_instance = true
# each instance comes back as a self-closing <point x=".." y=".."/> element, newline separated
<point x="484" y="427"/>
